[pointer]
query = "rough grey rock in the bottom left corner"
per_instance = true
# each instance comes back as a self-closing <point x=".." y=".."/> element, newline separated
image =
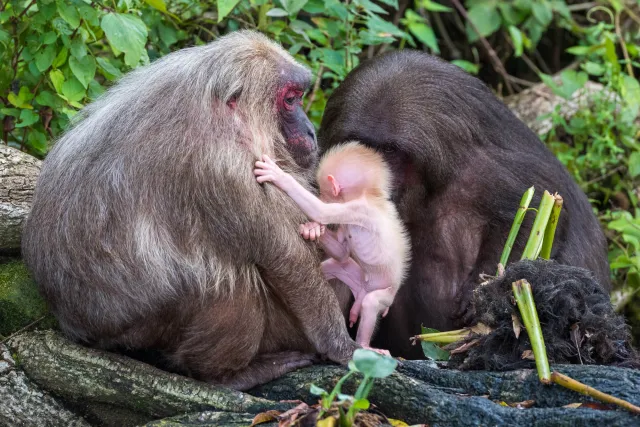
<point x="24" y="404"/>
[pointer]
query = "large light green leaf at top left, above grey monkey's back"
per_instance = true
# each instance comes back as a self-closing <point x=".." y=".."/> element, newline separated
<point x="126" y="33"/>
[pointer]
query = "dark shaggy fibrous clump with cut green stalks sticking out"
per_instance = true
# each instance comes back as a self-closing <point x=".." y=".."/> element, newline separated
<point x="564" y="296"/>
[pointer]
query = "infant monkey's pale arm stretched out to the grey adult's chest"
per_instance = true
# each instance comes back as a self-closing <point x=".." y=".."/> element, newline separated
<point x="314" y="208"/>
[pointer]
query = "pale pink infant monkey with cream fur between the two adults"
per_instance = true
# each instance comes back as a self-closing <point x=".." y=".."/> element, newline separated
<point x="370" y="251"/>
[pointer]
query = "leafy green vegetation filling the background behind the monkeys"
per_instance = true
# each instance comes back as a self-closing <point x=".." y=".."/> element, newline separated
<point x="58" y="55"/>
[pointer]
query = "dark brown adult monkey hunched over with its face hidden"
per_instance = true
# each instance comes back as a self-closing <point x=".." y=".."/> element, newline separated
<point x="460" y="162"/>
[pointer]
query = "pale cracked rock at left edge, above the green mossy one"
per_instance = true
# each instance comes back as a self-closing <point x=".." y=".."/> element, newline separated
<point x="18" y="175"/>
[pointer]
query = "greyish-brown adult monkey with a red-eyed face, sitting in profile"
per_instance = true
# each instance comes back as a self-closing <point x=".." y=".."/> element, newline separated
<point x="148" y="230"/>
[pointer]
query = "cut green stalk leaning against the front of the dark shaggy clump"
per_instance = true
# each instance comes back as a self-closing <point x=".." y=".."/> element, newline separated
<point x="527" y="307"/>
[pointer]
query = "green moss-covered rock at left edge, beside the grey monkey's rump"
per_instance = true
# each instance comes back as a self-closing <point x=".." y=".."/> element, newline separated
<point x="20" y="301"/>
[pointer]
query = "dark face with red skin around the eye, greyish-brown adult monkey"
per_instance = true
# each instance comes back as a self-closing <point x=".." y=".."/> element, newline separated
<point x="296" y="127"/>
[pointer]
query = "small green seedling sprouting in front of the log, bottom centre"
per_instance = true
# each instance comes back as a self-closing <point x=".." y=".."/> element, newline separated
<point x="370" y="364"/>
